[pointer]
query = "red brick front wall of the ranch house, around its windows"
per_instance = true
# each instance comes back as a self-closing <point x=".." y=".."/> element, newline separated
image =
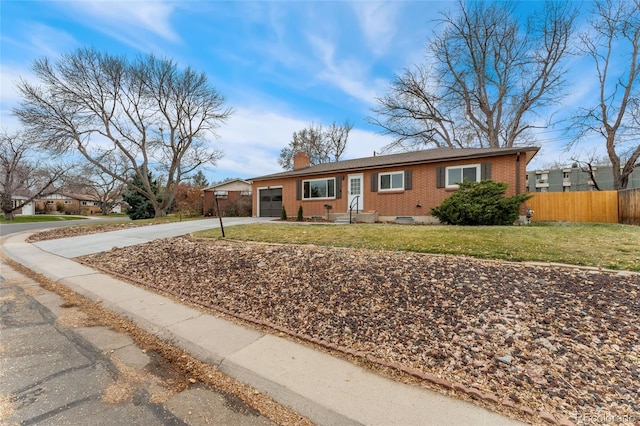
<point x="396" y="203"/>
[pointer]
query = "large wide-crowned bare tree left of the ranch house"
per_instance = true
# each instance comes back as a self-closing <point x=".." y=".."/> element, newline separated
<point x="157" y="115"/>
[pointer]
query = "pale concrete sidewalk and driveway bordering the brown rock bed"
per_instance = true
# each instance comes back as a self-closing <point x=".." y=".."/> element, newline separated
<point x="328" y="390"/>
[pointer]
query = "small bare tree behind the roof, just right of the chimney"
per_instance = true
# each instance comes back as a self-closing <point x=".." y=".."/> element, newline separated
<point x="322" y="145"/>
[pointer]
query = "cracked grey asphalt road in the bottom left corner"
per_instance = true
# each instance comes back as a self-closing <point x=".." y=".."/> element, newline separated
<point x="55" y="369"/>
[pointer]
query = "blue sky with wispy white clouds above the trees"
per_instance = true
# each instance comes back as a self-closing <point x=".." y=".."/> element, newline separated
<point x="281" y="65"/>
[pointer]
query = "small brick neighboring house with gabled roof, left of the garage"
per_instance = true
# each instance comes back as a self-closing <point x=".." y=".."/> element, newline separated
<point x="234" y="198"/>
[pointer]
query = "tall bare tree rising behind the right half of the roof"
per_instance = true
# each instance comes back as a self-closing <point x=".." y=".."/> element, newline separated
<point x="487" y="76"/>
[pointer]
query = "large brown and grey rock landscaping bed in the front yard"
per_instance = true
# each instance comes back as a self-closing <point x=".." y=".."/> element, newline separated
<point x="546" y="344"/>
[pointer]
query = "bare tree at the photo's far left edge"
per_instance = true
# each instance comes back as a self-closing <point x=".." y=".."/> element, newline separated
<point x="21" y="175"/>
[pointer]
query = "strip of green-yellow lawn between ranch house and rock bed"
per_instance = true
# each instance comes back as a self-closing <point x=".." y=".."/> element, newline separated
<point x="609" y="246"/>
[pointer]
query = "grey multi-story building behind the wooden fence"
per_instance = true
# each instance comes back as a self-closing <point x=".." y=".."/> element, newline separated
<point x="571" y="179"/>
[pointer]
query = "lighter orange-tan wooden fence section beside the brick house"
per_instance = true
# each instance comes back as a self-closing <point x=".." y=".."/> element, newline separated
<point x="582" y="206"/>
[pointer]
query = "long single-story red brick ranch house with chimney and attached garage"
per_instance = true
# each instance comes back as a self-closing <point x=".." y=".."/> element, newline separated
<point x="383" y="188"/>
